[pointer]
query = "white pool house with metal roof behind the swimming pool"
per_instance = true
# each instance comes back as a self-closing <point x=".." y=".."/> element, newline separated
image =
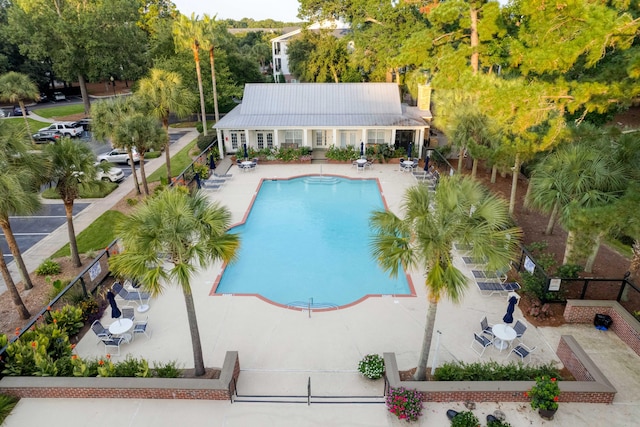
<point x="321" y="115"/>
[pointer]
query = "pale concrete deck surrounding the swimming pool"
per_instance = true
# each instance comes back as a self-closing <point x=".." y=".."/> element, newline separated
<point x="279" y="349"/>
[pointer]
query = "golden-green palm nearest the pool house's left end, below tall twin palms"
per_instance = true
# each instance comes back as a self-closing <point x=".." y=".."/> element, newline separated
<point x="163" y="94"/>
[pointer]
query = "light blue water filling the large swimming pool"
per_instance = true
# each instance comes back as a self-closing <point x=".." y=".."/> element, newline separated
<point x="308" y="238"/>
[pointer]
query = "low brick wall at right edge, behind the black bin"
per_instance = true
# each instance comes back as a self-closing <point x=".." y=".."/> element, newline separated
<point x="625" y="326"/>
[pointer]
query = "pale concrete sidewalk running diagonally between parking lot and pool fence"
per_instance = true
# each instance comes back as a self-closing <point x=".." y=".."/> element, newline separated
<point x="54" y="241"/>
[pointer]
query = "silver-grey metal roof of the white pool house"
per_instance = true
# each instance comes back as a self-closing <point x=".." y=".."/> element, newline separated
<point x="332" y="105"/>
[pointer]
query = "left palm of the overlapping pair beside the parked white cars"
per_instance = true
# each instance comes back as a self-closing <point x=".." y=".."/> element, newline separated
<point x="108" y="117"/>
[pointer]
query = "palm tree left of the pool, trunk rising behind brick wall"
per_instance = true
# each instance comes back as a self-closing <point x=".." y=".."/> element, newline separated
<point x="182" y="230"/>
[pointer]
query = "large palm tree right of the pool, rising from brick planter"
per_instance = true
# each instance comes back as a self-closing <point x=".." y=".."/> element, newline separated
<point x="460" y="210"/>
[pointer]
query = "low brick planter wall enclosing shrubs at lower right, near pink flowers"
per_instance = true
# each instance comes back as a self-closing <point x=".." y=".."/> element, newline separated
<point x="597" y="390"/>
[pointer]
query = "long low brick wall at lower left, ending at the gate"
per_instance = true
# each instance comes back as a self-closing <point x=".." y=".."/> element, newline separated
<point x="140" y="388"/>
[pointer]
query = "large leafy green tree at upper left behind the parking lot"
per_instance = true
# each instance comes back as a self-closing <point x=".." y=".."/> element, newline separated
<point x="83" y="40"/>
